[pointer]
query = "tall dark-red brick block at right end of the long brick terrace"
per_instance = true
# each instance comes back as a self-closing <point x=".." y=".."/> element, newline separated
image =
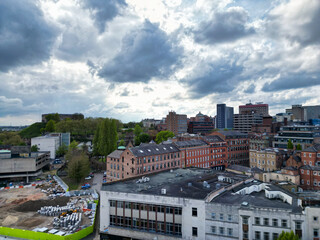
<point x="237" y="146"/>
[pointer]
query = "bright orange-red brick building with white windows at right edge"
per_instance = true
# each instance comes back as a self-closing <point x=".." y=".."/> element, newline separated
<point x="310" y="171"/>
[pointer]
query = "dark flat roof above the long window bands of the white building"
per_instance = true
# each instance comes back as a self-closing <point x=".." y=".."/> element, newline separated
<point x="184" y="183"/>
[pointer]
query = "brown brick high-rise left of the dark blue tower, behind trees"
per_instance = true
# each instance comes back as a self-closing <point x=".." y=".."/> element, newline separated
<point x="177" y="123"/>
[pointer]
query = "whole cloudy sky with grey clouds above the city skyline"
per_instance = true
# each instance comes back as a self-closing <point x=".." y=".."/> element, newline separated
<point x="135" y="59"/>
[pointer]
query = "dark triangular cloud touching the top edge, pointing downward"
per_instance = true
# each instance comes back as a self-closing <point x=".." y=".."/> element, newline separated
<point x="104" y="10"/>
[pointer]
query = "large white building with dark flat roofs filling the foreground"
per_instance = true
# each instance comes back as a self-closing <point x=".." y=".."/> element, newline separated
<point x="202" y="204"/>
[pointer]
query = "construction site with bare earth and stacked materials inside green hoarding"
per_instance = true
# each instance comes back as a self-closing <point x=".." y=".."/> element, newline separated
<point x="45" y="207"/>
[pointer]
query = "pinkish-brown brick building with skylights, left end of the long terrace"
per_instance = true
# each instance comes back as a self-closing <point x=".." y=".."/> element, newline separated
<point x="141" y="160"/>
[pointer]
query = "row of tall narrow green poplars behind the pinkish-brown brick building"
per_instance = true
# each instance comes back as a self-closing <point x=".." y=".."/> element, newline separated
<point x="105" y="138"/>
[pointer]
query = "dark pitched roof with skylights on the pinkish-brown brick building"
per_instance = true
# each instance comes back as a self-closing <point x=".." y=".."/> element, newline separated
<point x="153" y="149"/>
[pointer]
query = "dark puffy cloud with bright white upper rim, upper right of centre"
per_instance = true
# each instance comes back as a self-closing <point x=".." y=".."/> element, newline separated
<point x="223" y="27"/>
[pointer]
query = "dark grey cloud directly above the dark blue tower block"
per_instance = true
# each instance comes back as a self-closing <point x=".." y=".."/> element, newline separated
<point x="221" y="78"/>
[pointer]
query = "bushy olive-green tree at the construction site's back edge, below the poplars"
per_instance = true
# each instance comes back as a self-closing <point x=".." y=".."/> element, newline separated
<point x="78" y="165"/>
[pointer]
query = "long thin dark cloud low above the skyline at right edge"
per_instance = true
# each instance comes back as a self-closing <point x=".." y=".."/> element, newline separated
<point x="293" y="81"/>
